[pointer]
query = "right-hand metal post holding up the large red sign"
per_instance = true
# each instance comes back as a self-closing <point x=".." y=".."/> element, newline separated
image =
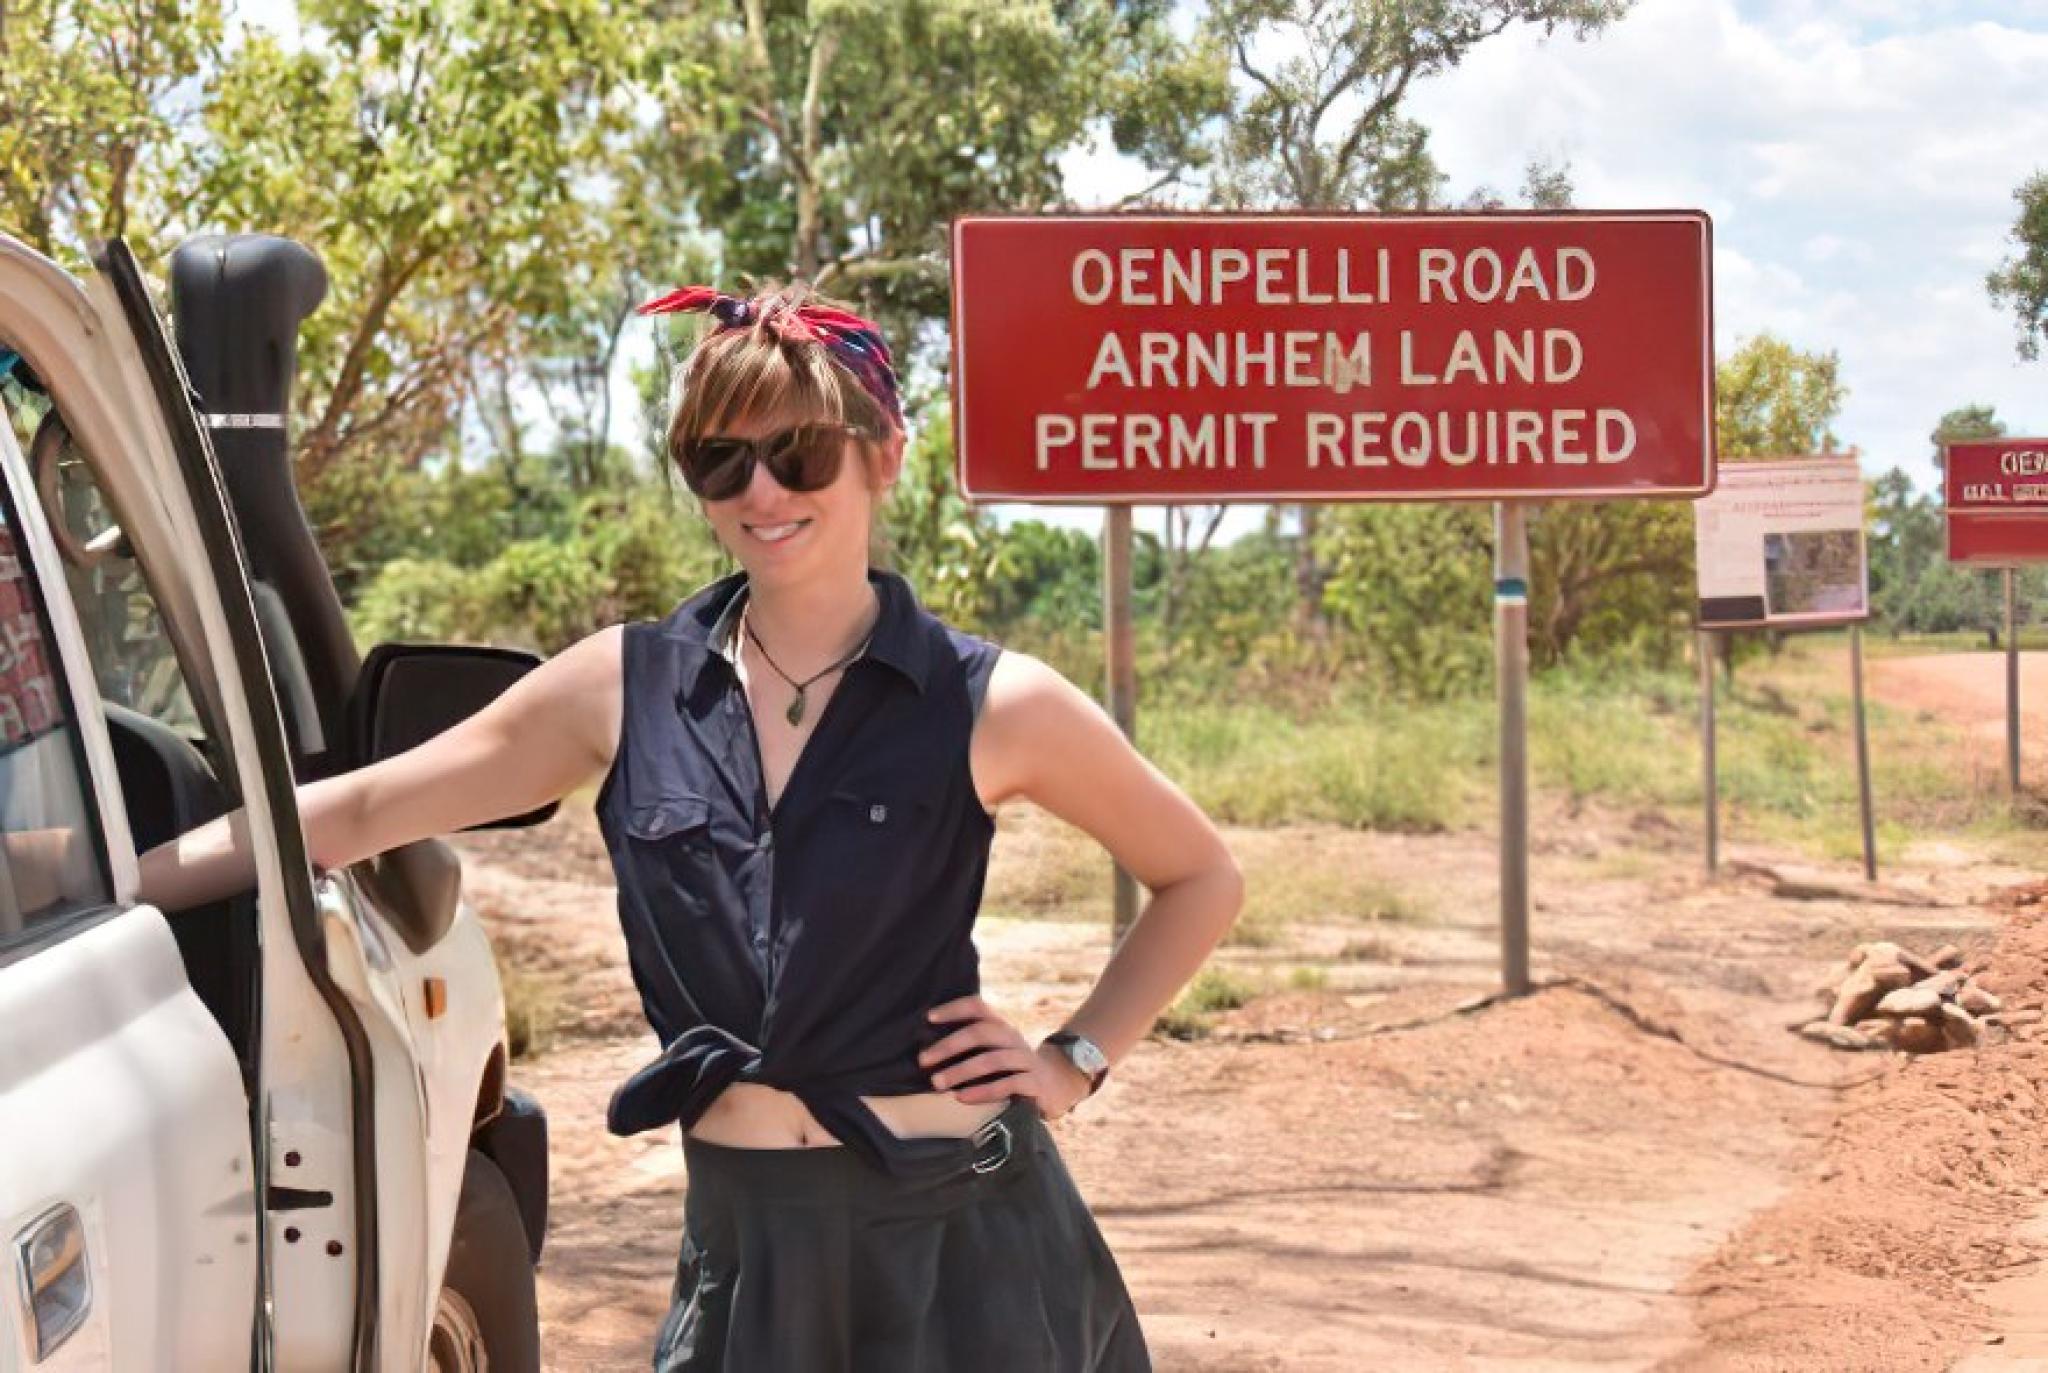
<point x="1512" y="675"/>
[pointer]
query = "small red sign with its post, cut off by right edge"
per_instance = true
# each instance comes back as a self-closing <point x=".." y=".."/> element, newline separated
<point x="1996" y="495"/>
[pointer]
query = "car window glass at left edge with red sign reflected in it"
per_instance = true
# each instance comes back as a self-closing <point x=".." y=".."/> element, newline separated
<point x="52" y="851"/>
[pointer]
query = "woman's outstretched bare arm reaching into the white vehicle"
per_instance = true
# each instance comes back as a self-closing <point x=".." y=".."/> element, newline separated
<point x="548" y="735"/>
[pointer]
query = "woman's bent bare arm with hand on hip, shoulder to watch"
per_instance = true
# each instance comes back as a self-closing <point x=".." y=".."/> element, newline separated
<point x="1043" y="739"/>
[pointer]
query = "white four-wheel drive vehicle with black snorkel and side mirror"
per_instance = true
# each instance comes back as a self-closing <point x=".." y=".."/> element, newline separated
<point x="273" y="1132"/>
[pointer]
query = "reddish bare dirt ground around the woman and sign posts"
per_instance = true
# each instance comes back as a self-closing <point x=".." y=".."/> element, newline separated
<point x="1633" y="1169"/>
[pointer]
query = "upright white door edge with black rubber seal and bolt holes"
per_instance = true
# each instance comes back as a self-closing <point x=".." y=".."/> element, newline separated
<point x="318" y="1091"/>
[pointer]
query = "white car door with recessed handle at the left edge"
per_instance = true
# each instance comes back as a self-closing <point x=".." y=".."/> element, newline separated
<point x="128" y="1185"/>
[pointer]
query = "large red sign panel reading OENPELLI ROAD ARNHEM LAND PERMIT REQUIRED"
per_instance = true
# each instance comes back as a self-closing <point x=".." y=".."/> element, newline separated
<point x="1334" y="358"/>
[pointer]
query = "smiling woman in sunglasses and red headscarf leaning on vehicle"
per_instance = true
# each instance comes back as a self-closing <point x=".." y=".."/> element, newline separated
<point x="800" y="769"/>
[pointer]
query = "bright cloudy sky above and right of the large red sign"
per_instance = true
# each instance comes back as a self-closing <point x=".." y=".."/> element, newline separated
<point x="1859" y="161"/>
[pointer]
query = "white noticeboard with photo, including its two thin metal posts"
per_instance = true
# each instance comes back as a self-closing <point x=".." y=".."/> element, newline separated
<point x="1781" y="546"/>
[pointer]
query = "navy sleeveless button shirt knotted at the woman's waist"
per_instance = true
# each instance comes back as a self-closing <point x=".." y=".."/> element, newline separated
<point x="798" y="948"/>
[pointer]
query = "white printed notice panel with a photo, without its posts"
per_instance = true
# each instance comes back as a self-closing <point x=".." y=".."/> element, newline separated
<point x="1783" y="544"/>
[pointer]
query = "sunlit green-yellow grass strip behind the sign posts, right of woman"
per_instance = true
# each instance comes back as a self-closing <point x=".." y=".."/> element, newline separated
<point x="1617" y="735"/>
